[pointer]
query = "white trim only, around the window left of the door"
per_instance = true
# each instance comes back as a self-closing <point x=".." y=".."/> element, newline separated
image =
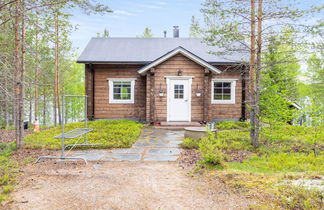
<point x="111" y="90"/>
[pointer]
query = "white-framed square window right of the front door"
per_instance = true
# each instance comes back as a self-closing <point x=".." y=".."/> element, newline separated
<point x="223" y="91"/>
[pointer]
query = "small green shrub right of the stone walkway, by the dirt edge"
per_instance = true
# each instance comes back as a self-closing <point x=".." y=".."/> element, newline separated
<point x="209" y="149"/>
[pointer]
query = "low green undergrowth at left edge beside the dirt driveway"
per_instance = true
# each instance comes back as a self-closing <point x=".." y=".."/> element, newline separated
<point x="8" y="170"/>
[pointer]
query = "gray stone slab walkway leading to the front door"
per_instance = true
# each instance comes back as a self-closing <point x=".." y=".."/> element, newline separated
<point x="153" y="145"/>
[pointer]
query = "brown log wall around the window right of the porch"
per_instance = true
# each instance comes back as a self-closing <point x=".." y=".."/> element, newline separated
<point x="227" y="111"/>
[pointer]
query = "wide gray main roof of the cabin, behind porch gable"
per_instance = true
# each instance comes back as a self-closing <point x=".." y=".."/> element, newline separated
<point x="145" y="50"/>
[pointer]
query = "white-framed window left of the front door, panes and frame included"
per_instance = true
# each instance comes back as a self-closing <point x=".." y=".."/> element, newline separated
<point x="121" y="90"/>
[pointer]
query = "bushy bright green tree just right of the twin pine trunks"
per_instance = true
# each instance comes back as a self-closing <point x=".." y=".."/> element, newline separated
<point x="279" y="78"/>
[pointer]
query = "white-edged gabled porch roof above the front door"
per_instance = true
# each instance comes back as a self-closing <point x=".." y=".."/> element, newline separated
<point x="184" y="52"/>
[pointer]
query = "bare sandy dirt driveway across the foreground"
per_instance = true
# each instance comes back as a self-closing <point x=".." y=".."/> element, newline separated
<point x="123" y="185"/>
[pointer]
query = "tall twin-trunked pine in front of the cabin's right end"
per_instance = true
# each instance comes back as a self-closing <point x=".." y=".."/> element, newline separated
<point x="229" y="26"/>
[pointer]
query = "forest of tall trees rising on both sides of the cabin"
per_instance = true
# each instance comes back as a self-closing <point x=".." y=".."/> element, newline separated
<point x="38" y="60"/>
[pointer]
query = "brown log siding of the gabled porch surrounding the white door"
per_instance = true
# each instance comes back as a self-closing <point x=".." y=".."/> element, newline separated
<point x="170" y="68"/>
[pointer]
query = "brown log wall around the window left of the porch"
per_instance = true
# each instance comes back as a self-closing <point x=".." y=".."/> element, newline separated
<point x="102" y="107"/>
